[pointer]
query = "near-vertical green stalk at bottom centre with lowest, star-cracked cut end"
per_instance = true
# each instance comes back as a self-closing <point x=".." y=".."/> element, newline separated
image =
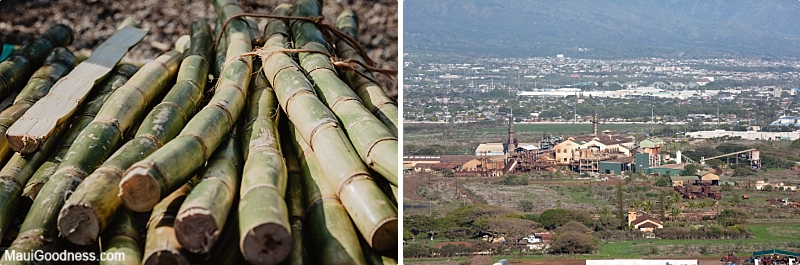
<point x="263" y="217"/>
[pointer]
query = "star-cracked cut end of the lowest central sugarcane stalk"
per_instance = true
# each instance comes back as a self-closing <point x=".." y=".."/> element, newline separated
<point x="267" y="244"/>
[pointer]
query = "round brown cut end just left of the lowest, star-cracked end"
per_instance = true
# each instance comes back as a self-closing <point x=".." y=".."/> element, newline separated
<point x="197" y="230"/>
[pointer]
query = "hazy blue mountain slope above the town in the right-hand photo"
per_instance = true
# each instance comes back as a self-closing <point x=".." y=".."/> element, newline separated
<point x="604" y="28"/>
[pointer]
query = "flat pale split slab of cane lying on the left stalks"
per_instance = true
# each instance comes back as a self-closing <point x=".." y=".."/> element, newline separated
<point x="38" y="123"/>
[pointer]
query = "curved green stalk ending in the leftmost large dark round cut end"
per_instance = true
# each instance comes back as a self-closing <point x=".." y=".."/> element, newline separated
<point x="91" y="207"/>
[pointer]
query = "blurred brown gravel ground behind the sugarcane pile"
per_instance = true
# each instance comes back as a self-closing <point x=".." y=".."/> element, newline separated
<point x="95" y="20"/>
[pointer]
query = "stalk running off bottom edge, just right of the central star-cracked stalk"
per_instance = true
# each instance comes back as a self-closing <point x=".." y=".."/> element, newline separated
<point x="331" y="233"/>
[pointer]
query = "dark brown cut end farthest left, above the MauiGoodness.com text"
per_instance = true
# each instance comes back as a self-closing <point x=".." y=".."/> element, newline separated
<point x="79" y="224"/>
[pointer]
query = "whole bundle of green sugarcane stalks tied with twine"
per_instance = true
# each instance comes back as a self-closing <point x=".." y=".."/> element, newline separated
<point x="294" y="158"/>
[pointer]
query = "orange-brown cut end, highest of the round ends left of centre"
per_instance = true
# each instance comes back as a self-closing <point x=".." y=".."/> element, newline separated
<point x="138" y="190"/>
